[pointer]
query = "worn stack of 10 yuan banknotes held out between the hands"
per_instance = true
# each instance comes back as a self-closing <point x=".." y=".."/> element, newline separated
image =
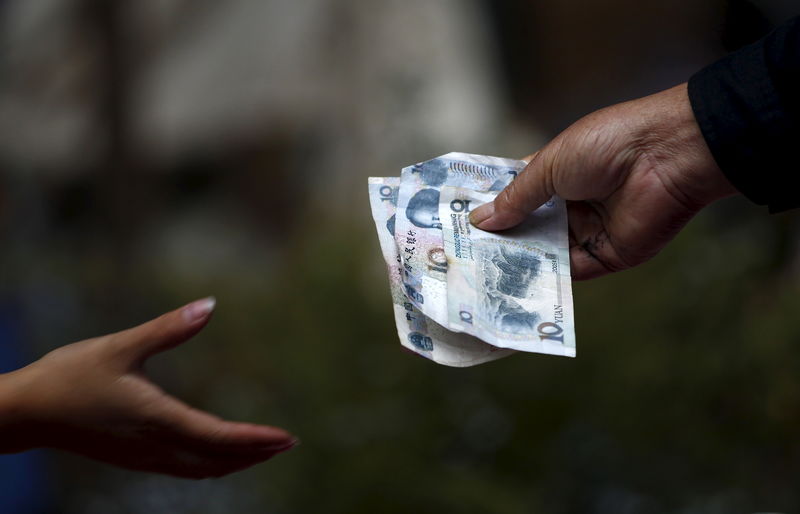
<point x="463" y="296"/>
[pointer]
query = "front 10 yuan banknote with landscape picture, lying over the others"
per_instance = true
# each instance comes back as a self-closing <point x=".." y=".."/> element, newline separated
<point x="511" y="289"/>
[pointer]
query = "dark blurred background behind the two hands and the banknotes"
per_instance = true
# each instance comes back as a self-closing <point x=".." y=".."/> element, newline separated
<point x="157" y="151"/>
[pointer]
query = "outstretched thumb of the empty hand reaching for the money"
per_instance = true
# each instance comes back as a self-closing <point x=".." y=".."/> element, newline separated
<point x="166" y="331"/>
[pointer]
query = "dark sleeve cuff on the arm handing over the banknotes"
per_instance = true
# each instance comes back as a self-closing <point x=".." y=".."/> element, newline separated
<point x="748" y="108"/>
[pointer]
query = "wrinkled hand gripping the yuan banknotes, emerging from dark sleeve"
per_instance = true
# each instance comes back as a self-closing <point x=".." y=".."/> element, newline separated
<point x="633" y="174"/>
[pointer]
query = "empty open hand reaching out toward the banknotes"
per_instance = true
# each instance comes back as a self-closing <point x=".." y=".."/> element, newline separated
<point x="92" y="398"/>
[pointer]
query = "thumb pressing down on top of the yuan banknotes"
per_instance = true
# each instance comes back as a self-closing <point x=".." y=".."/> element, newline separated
<point x="525" y="194"/>
